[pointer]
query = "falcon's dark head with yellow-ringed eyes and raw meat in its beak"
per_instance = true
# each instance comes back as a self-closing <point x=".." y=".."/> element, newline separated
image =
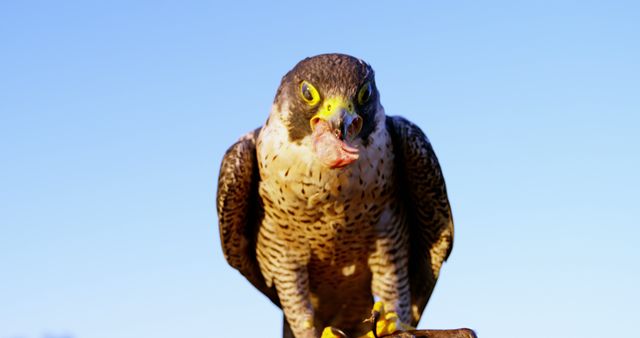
<point x="331" y="99"/>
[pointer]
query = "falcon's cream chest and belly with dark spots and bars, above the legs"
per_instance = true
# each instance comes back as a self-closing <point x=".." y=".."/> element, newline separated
<point x="336" y="213"/>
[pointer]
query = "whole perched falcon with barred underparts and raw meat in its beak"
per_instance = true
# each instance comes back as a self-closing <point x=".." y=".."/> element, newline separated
<point x="332" y="203"/>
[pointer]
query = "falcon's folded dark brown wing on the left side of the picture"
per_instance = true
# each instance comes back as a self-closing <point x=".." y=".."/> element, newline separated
<point x="240" y="211"/>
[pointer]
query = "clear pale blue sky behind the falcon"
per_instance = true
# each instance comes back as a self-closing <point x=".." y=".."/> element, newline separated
<point x="114" y="116"/>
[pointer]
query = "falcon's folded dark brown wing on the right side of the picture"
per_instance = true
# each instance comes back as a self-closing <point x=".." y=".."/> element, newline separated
<point x="424" y="193"/>
